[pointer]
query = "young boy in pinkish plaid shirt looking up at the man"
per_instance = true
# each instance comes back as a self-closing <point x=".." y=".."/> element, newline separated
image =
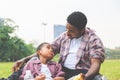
<point x="43" y="68"/>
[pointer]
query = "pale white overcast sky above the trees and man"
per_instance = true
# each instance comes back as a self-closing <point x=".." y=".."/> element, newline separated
<point x="103" y="16"/>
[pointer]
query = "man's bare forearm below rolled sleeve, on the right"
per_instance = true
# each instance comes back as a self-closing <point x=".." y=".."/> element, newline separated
<point x="94" y="69"/>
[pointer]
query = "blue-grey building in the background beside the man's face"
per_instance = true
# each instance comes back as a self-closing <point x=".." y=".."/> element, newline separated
<point x="58" y="29"/>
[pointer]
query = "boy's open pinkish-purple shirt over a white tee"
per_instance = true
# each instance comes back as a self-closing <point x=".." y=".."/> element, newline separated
<point x="35" y="66"/>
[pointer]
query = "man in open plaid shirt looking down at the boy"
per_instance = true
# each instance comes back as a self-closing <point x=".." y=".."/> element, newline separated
<point x="81" y="50"/>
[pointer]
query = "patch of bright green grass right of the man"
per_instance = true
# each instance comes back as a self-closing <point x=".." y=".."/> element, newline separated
<point x="111" y="69"/>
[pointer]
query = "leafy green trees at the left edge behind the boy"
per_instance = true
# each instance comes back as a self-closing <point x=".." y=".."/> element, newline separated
<point x="12" y="48"/>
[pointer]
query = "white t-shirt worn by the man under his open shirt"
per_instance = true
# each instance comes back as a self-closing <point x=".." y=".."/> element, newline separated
<point x="71" y="59"/>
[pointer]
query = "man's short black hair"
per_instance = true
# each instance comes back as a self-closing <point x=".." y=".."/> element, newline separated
<point x="77" y="19"/>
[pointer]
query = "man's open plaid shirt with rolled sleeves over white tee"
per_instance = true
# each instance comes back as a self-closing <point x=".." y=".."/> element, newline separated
<point x="90" y="47"/>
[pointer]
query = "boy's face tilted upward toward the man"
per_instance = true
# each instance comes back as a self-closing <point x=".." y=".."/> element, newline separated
<point x="47" y="51"/>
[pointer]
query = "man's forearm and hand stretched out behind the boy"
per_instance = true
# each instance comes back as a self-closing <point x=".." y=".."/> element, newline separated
<point x="19" y="63"/>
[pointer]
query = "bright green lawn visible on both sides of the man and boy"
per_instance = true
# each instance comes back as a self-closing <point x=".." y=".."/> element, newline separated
<point x="110" y="68"/>
